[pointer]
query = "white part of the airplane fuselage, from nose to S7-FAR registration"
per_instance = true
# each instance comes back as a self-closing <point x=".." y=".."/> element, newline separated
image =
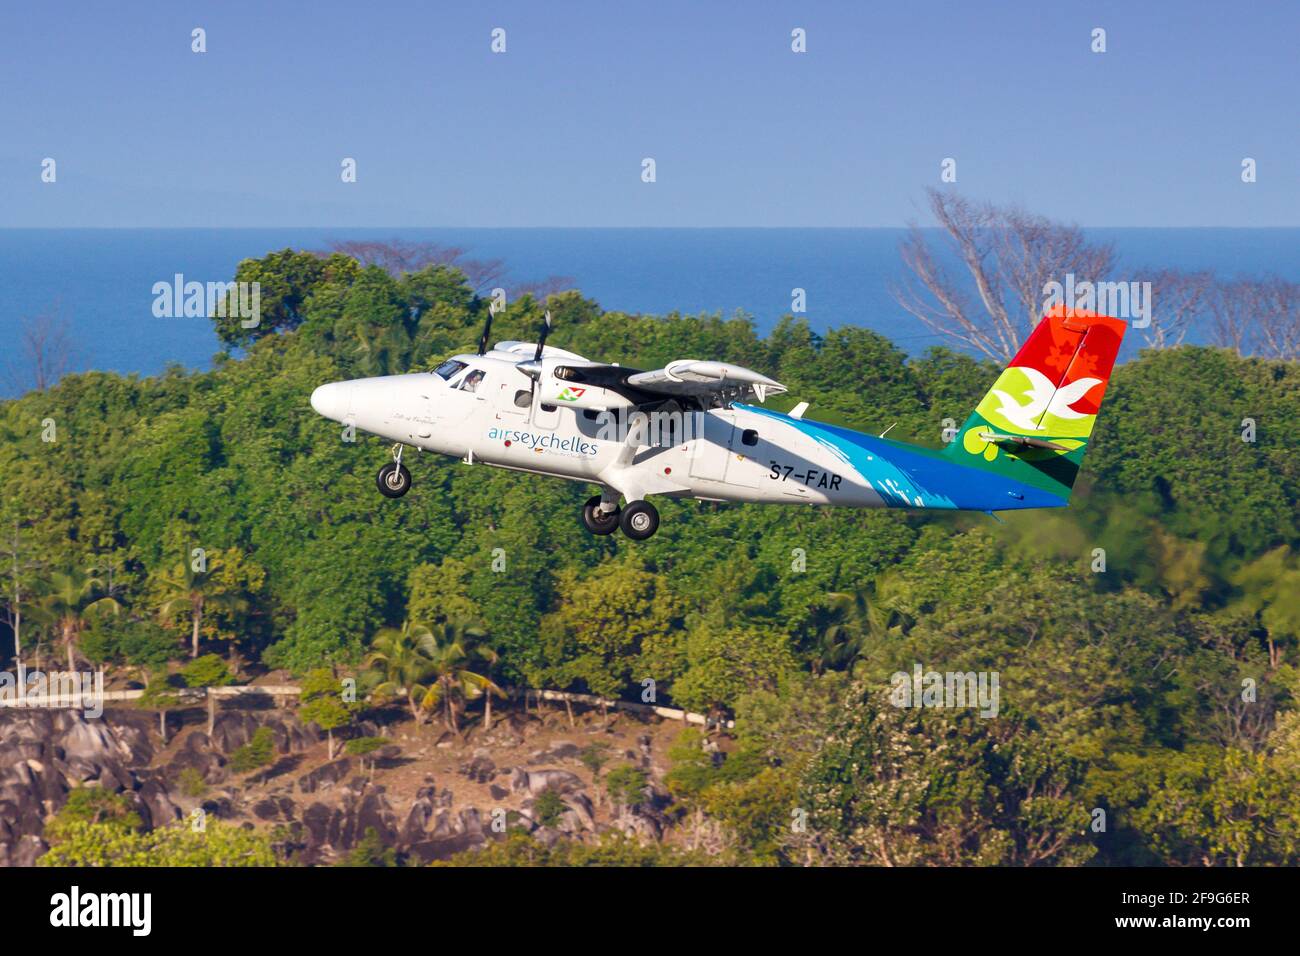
<point x="720" y="455"/>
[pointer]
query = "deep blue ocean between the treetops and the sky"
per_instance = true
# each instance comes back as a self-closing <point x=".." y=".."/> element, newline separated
<point x="101" y="280"/>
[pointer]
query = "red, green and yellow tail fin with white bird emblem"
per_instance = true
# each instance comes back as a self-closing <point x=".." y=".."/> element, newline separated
<point x="1034" y="423"/>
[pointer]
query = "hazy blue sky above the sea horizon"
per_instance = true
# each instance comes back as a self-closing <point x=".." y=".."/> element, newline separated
<point x="553" y="132"/>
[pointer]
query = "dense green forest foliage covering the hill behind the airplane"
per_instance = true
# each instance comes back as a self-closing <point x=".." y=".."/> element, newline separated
<point x="1146" y="639"/>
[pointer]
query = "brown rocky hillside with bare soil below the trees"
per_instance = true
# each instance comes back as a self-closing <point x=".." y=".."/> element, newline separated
<point x="428" y="793"/>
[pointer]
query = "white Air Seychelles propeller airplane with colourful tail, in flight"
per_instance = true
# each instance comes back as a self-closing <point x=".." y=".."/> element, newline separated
<point x="690" y="431"/>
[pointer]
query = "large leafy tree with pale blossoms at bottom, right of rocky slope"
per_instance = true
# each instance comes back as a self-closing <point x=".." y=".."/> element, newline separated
<point x="905" y="788"/>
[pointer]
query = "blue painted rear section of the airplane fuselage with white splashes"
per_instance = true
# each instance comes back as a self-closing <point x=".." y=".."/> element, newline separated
<point x="908" y="477"/>
